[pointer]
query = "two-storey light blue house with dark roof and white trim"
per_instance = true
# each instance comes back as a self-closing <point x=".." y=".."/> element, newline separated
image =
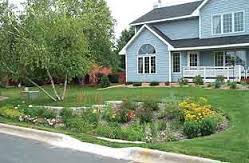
<point x="209" y="38"/>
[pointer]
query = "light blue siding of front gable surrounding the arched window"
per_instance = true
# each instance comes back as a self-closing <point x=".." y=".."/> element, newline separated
<point x="162" y="59"/>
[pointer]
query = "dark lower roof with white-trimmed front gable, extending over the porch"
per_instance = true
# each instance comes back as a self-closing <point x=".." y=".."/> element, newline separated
<point x="193" y="43"/>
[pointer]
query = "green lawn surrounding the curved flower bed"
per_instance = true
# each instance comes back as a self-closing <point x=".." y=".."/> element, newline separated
<point x="231" y="145"/>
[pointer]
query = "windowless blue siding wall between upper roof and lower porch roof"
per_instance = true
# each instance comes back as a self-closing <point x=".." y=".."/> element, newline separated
<point x="181" y="29"/>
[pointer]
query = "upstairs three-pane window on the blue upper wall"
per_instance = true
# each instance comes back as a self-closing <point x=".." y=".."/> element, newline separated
<point x="228" y="23"/>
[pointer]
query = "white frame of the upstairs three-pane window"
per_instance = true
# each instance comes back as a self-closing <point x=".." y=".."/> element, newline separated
<point x="233" y="23"/>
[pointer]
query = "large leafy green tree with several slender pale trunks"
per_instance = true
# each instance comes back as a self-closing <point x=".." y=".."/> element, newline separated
<point x="46" y="38"/>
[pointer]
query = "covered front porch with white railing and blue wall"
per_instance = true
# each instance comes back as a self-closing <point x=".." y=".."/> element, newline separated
<point x="232" y="64"/>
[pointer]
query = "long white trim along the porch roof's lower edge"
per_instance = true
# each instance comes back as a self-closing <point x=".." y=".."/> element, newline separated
<point x="212" y="47"/>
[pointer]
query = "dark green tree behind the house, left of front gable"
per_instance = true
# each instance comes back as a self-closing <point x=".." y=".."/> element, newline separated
<point x="125" y="37"/>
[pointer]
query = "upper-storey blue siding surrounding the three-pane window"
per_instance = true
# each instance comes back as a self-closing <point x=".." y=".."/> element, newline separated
<point x="222" y="6"/>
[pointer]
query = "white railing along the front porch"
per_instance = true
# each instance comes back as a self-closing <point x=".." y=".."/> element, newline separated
<point x="210" y="72"/>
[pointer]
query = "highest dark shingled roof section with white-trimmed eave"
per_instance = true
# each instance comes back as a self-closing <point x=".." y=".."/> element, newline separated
<point x="169" y="12"/>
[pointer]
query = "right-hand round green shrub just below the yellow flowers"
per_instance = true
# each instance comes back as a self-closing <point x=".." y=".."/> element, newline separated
<point x="208" y="126"/>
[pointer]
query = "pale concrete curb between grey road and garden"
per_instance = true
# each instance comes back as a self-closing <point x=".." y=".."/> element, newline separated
<point x="131" y="154"/>
